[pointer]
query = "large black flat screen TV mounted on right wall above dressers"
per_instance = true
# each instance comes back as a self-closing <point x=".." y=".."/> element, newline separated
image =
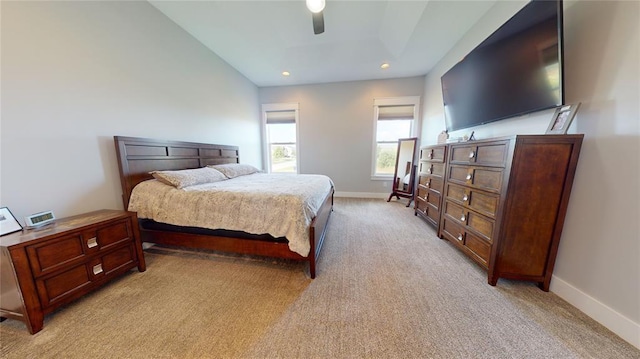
<point x="516" y="70"/>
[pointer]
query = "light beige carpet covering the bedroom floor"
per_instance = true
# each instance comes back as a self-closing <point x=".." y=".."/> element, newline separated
<point x="387" y="287"/>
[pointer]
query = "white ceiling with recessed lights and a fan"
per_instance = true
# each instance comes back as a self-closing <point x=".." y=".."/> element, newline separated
<point x="263" y="38"/>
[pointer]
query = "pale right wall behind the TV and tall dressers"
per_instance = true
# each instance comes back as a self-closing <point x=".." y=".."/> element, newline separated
<point x="598" y="263"/>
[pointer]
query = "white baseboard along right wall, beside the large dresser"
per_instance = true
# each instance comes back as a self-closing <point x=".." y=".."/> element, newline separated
<point x="624" y="327"/>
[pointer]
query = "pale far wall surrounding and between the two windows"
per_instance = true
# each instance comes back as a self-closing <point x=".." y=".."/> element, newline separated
<point x="336" y="128"/>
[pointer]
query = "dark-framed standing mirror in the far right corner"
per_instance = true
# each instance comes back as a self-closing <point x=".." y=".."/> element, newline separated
<point x="404" y="175"/>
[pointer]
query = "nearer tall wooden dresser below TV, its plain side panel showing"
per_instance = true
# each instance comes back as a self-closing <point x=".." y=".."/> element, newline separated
<point x="505" y="202"/>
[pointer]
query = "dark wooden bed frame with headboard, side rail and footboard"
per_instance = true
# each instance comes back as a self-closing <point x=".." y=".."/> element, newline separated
<point x="138" y="156"/>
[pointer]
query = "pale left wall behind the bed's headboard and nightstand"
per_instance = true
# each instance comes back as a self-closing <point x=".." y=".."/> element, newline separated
<point x="74" y="74"/>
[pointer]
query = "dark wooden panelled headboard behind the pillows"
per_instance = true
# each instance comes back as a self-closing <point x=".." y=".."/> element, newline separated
<point x="138" y="156"/>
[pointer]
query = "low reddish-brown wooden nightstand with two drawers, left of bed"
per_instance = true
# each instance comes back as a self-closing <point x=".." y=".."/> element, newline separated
<point x="46" y="268"/>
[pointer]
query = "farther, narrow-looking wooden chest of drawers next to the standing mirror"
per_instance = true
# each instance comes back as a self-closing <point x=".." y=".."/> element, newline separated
<point x="431" y="172"/>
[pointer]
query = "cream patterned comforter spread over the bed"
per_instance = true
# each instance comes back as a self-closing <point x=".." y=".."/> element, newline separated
<point x="281" y="205"/>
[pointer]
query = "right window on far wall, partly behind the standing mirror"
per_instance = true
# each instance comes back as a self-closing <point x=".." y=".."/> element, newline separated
<point x="394" y="119"/>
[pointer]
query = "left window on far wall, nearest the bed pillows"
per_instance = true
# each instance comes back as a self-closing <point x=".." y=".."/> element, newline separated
<point x="280" y="133"/>
